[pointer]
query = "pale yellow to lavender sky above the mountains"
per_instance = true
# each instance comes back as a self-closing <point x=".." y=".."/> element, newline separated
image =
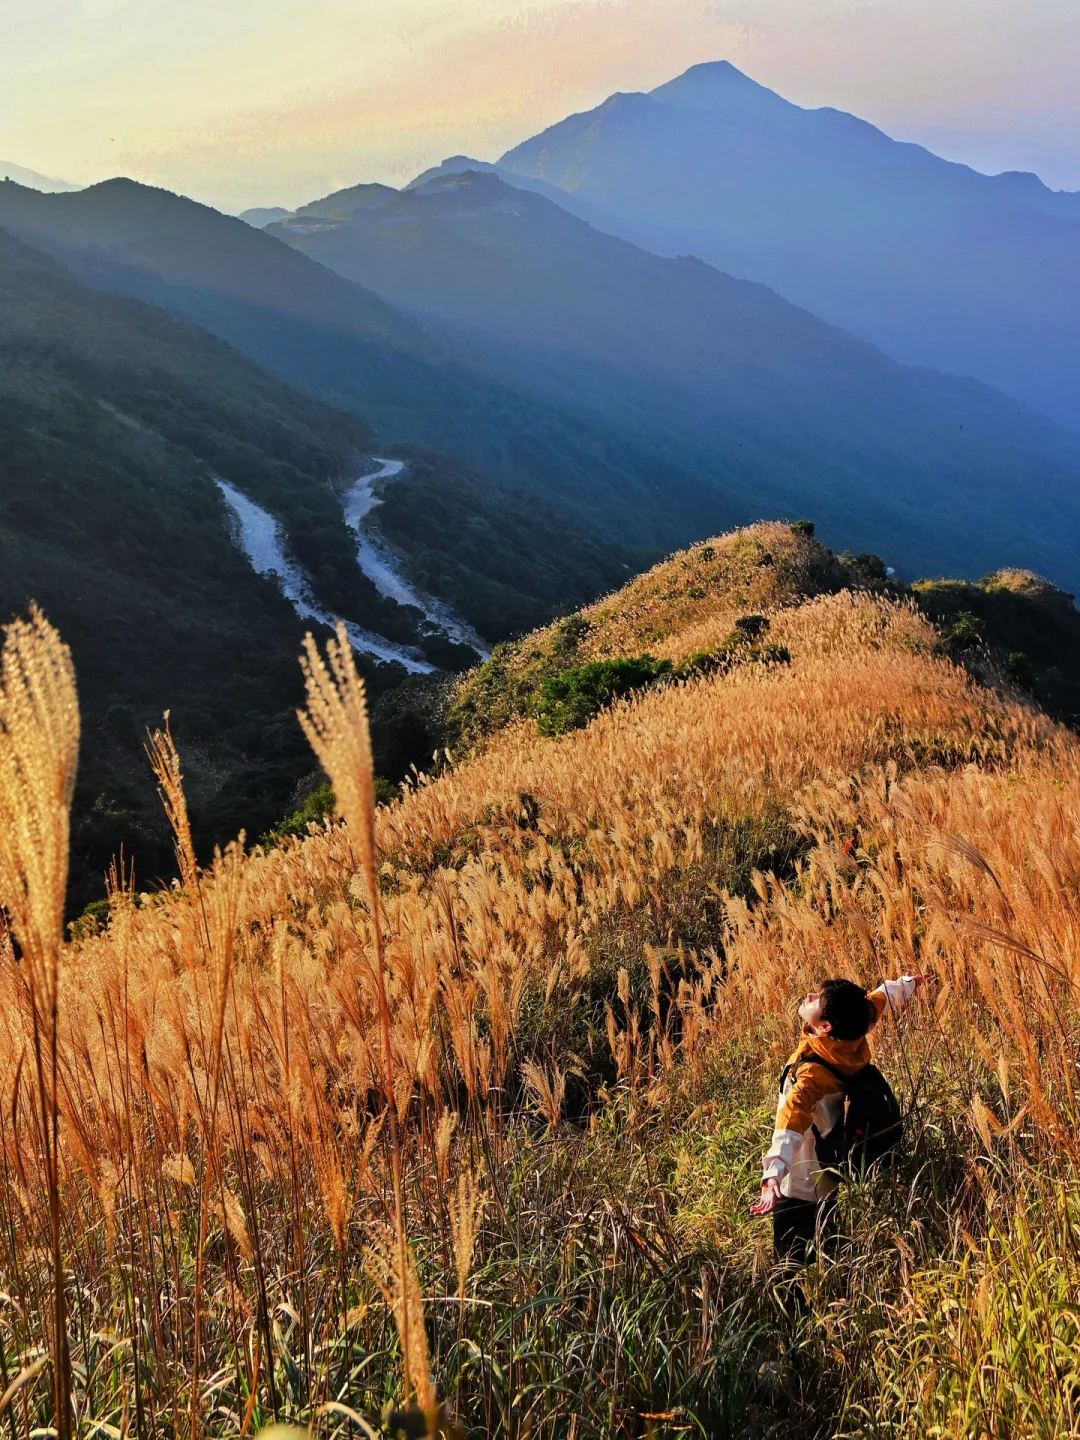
<point x="243" y="103"/>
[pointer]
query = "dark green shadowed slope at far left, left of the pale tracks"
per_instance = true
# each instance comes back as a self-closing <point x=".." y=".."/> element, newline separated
<point x="113" y="421"/>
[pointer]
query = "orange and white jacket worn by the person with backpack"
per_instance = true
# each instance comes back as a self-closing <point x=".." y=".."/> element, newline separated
<point x="814" y="1097"/>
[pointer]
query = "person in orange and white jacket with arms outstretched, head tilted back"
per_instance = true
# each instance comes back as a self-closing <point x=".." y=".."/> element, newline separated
<point x="797" y="1190"/>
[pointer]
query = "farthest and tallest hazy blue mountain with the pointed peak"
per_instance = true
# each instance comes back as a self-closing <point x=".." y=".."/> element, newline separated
<point x="935" y="263"/>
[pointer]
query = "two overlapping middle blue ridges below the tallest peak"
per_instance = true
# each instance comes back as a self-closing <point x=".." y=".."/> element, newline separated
<point x="657" y="398"/>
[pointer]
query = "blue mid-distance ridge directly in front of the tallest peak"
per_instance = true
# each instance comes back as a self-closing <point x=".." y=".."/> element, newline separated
<point x="786" y="413"/>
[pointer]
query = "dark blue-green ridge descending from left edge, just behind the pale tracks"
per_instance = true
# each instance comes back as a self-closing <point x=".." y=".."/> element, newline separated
<point x="354" y="349"/>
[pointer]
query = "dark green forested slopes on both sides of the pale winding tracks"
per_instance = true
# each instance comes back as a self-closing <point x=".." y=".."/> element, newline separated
<point x="116" y="421"/>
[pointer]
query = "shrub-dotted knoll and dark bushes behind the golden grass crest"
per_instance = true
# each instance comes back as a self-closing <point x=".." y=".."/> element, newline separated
<point x="734" y="603"/>
